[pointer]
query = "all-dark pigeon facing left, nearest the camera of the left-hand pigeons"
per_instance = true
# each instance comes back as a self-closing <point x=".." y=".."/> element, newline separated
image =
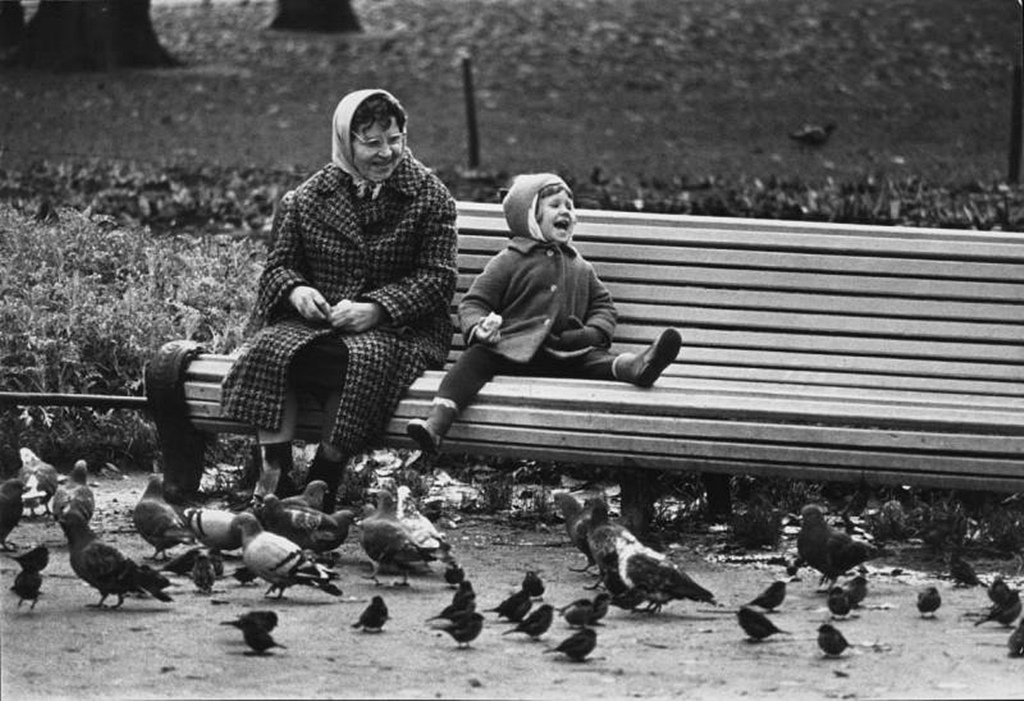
<point x="105" y="567"/>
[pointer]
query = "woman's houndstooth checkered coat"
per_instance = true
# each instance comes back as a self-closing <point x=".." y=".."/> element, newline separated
<point x="399" y="250"/>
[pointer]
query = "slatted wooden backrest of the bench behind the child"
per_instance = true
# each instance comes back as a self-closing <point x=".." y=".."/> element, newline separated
<point x="774" y="301"/>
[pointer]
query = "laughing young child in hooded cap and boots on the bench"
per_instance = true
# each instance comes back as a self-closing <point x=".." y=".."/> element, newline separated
<point x="538" y="309"/>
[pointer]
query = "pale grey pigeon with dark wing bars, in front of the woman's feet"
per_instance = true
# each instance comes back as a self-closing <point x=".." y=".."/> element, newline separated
<point x="279" y="561"/>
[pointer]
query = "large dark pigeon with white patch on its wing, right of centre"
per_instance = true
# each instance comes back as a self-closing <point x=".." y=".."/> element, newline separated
<point x="630" y="568"/>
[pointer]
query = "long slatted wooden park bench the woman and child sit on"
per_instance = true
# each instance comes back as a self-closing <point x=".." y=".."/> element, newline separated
<point x="888" y="356"/>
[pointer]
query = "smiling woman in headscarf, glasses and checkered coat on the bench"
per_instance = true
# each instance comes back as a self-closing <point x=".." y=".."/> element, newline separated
<point x="355" y="301"/>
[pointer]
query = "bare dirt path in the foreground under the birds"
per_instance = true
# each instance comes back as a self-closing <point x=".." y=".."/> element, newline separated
<point x="152" y="650"/>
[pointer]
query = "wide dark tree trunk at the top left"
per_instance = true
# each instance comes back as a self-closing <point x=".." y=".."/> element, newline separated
<point x="92" y="35"/>
